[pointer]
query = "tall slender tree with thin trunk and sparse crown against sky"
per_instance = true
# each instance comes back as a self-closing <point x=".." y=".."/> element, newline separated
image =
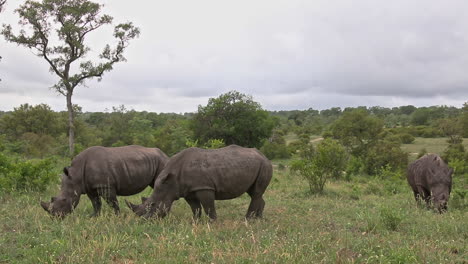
<point x="59" y="30"/>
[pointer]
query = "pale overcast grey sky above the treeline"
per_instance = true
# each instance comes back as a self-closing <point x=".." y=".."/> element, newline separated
<point x="286" y="54"/>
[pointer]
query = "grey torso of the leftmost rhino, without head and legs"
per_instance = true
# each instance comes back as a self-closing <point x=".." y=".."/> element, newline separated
<point x="128" y="170"/>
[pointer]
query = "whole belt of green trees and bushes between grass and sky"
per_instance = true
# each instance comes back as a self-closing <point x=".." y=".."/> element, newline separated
<point x="357" y="141"/>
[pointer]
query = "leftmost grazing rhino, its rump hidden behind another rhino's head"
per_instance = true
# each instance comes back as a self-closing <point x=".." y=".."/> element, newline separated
<point x="106" y="172"/>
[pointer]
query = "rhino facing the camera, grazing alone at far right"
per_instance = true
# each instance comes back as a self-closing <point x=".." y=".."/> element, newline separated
<point x="429" y="176"/>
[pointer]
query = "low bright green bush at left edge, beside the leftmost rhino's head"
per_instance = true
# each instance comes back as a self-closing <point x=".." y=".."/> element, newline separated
<point x="19" y="175"/>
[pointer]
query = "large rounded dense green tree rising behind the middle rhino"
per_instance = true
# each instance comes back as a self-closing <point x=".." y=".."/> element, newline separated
<point x="235" y="118"/>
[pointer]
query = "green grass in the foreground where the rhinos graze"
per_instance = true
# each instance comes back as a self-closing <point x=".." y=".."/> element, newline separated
<point x="352" y="222"/>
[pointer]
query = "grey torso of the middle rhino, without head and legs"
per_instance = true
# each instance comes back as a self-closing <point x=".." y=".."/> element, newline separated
<point x="229" y="171"/>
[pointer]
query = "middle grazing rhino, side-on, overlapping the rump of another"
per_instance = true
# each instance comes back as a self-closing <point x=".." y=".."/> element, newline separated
<point x="202" y="176"/>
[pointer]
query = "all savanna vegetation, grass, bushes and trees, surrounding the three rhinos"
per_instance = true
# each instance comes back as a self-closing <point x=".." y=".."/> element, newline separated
<point x="338" y="193"/>
